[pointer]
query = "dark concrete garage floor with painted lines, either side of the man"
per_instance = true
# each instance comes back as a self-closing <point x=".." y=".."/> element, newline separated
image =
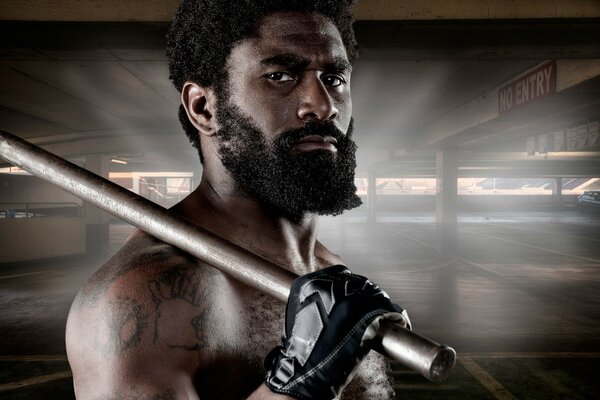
<point x="520" y="303"/>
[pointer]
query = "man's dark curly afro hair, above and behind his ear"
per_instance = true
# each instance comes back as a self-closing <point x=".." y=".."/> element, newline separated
<point x="203" y="33"/>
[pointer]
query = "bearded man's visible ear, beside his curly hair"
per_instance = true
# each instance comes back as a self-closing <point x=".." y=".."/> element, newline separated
<point x="200" y="105"/>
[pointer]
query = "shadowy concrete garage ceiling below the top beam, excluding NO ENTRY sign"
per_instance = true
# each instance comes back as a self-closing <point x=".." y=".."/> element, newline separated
<point x="88" y="87"/>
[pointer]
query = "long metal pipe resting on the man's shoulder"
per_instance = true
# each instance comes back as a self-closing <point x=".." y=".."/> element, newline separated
<point x="432" y="360"/>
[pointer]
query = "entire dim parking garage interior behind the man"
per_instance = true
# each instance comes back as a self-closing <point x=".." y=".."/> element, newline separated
<point x="478" y="132"/>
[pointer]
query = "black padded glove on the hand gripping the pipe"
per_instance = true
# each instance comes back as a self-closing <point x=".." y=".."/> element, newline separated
<point x="330" y="318"/>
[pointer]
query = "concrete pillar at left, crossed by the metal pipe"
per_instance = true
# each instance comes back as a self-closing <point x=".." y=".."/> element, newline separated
<point x="96" y="220"/>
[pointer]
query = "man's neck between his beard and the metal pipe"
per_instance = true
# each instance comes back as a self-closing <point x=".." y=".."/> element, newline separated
<point x="243" y="220"/>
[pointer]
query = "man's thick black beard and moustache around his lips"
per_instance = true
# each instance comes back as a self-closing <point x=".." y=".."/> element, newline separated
<point x="320" y="181"/>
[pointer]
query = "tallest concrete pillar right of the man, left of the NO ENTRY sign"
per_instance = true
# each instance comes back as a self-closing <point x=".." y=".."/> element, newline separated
<point x="446" y="205"/>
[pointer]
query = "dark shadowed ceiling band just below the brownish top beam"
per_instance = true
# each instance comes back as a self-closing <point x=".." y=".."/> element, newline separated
<point x="379" y="40"/>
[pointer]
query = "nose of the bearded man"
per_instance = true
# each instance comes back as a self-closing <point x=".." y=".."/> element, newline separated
<point x="315" y="102"/>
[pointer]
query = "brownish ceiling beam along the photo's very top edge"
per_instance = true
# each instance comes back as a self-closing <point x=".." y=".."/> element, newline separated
<point x="163" y="10"/>
